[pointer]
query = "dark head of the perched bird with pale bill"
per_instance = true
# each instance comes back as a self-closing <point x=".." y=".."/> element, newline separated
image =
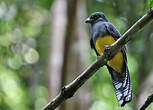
<point x="95" y="17"/>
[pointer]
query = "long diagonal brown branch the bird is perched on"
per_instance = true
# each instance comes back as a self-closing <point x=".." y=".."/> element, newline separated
<point x="69" y="90"/>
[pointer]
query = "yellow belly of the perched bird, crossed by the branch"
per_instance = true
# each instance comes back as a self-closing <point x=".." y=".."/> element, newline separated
<point x="117" y="61"/>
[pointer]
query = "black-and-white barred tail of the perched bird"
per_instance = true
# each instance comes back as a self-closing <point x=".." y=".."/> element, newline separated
<point x="122" y="86"/>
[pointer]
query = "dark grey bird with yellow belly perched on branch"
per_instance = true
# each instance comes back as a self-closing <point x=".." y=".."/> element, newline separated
<point x="104" y="33"/>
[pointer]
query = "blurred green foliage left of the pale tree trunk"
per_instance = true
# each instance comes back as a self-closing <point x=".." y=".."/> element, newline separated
<point x="23" y="25"/>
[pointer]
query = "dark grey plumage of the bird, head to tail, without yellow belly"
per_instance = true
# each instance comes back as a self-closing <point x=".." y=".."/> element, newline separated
<point x="100" y="27"/>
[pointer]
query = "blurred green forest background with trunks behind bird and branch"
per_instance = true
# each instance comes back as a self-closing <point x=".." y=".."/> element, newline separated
<point x="44" y="44"/>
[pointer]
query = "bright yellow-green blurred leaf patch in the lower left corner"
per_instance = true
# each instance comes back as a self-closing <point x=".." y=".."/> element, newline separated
<point x="12" y="93"/>
